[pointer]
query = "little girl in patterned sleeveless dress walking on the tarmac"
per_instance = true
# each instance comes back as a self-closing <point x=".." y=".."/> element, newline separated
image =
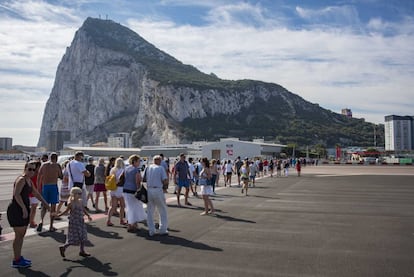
<point x="77" y="234"/>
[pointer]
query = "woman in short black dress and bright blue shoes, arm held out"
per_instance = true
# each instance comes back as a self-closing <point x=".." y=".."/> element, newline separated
<point x="19" y="209"/>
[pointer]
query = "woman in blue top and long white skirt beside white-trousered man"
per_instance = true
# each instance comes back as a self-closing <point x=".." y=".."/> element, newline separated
<point x="134" y="208"/>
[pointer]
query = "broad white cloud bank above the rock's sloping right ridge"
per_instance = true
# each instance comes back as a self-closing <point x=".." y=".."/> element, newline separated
<point x="333" y="67"/>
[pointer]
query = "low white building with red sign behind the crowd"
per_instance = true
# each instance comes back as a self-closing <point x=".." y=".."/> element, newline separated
<point x="231" y="148"/>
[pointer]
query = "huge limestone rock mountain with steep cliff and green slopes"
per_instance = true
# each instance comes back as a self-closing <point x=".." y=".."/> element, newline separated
<point x="112" y="80"/>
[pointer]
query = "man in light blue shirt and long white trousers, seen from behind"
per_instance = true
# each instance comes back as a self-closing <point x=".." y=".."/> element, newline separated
<point x="157" y="184"/>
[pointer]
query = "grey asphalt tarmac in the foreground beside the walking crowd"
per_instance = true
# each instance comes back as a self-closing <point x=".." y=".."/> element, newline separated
<point x="331" y="221"/>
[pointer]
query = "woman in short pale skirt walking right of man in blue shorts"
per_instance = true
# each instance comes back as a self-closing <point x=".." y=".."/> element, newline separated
<point x="206" y="188"/>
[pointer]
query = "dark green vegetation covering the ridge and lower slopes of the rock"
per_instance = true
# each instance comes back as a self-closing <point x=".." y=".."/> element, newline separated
<point x="292" y="121"/>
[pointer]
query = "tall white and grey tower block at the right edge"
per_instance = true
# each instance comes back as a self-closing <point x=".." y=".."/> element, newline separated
<point x="399" y="133"/>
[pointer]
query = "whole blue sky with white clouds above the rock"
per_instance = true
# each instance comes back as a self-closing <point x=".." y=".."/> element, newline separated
<point x="339" y="54"/>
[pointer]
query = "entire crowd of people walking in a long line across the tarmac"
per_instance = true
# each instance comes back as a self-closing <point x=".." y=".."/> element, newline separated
<point x="79" y="182"/>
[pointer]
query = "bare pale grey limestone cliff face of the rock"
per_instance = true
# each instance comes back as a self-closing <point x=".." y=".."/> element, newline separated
<point x="98" y="91"/>
